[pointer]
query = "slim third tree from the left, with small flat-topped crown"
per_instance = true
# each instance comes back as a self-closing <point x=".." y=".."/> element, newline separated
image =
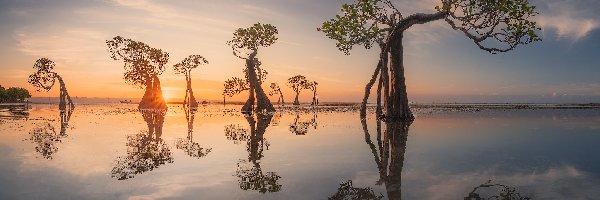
<point x="185" y="67"/>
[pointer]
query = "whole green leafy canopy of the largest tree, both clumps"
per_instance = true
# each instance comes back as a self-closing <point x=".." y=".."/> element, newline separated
<point x="494" y="25"/>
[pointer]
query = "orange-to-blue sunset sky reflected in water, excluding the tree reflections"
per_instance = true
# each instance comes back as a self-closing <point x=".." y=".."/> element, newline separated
<point x="543" y="153"/>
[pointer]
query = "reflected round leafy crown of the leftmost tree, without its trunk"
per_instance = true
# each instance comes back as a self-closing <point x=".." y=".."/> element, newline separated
<point x="45" y="137"/>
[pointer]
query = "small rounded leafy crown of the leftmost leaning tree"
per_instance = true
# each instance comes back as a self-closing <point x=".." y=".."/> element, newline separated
<point x="43" y="78"/>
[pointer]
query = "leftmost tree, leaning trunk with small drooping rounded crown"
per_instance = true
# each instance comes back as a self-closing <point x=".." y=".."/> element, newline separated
<point x="44" y="78"/>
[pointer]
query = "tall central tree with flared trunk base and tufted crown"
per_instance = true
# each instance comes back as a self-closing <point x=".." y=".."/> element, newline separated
<point x="250" y="39"/>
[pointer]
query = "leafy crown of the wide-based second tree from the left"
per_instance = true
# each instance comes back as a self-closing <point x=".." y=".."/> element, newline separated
<point x="141" y="61"/>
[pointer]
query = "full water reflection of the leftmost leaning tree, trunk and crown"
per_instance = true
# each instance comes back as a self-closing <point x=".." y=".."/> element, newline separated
<point x="46" y="138"/>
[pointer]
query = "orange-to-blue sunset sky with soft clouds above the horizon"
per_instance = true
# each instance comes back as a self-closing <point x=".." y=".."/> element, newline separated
<point x="441" y="64"/>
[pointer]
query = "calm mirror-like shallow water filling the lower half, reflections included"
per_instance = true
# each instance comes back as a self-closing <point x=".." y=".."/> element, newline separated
<point x="114" y="151"/>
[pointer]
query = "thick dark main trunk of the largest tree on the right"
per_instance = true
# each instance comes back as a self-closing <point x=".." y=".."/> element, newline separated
<point x="398" y="109"/>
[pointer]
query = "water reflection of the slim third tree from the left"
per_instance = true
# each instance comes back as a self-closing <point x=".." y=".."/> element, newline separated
<point x="188" y="145"/>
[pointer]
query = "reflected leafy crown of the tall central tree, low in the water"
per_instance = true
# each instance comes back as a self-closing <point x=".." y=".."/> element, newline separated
<point x="252" y="178"/>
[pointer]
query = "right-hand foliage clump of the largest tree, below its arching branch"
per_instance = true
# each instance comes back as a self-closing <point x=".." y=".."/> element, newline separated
<point x="506" y="22"/>
